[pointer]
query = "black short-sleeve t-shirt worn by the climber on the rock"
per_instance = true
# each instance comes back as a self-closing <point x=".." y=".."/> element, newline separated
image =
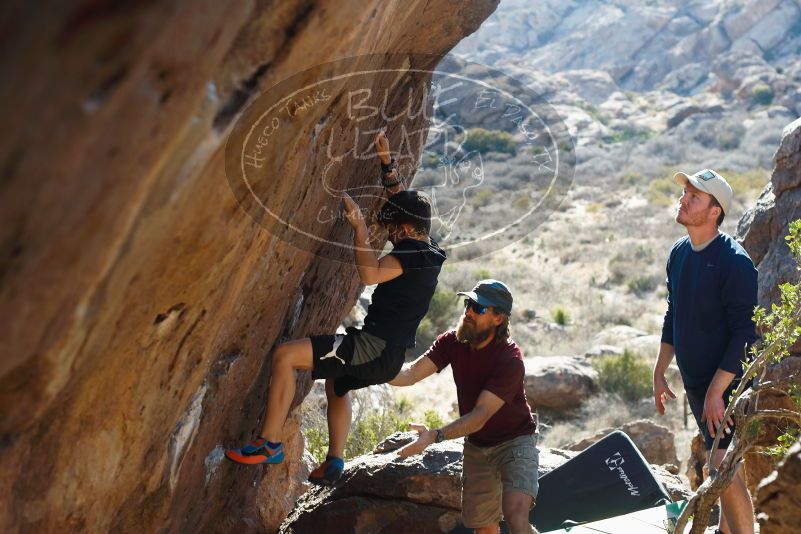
<point x="399" y="305"/>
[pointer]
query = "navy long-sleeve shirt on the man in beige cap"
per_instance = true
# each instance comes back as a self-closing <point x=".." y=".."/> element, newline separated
<point x="711" y="298"/>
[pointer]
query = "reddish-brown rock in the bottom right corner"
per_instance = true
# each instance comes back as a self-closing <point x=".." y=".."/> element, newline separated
<point x="778" y="497"/>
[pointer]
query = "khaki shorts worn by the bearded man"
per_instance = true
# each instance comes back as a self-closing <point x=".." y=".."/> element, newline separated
<point x="488" y="472"/>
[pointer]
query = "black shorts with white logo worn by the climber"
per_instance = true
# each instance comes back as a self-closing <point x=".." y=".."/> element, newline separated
<point x="355" y="359"/>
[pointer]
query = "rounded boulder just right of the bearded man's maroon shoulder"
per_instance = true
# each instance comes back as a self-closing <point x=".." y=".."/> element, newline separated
<point x="559" y="383"/>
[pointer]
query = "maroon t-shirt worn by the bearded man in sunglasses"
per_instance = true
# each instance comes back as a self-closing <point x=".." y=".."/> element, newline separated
<point x="499" y="369"/>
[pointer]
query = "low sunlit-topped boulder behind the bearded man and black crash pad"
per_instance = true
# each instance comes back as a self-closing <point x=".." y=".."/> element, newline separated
<point x="381" y="492"/>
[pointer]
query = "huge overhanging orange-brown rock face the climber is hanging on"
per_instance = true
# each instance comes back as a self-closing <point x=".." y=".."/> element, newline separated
<point x="139" y="301"/>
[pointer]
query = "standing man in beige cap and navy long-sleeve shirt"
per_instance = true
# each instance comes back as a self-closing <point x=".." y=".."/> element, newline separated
<point x="712" y="292"/>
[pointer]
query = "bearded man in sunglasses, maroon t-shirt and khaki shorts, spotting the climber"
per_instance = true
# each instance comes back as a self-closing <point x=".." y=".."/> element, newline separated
<point x="499" y="473"/>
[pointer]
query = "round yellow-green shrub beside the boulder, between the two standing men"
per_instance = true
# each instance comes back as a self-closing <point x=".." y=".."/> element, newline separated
<point x="627" y="375"/>
